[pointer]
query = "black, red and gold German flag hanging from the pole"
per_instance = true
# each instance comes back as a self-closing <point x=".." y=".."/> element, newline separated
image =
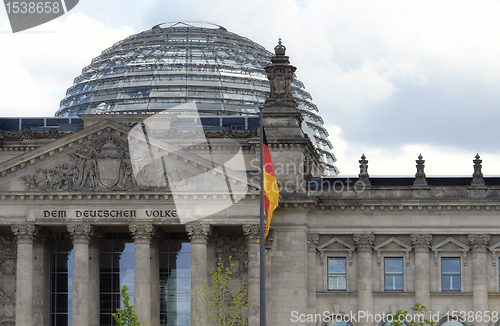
<point x="271" y="191"/>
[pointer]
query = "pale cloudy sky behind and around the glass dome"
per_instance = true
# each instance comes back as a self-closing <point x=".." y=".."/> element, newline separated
<point x="392" y="79"/>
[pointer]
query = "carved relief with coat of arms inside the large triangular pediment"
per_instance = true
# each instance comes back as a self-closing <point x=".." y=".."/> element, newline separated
<point x="105" y="164"/>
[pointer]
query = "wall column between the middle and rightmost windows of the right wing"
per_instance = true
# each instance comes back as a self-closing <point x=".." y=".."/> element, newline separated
<point x="421" y="245"/>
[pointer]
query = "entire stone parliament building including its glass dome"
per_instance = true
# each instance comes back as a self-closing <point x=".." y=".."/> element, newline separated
<point x="108" y="192"/>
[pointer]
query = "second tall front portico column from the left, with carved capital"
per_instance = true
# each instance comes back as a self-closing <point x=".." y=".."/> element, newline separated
<point x="81" y="235"/>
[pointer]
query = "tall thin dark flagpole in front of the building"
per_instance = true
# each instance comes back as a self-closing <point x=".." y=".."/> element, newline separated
<point x="262" y="228"/>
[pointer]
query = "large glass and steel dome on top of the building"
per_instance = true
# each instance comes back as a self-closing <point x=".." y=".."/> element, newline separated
<point x="180" y="62"/>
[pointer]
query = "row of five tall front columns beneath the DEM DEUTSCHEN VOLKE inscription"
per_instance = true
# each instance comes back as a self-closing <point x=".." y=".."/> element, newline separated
<point x="33" y="275"/>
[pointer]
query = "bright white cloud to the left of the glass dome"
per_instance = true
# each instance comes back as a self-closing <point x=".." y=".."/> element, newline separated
<point x="42" y="62"/>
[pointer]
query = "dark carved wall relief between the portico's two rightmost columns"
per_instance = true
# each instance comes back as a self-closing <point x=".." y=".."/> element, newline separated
<point x="235" y="247"/>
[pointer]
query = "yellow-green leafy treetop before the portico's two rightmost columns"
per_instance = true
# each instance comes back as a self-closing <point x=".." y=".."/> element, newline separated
<point x="219" y="305"/>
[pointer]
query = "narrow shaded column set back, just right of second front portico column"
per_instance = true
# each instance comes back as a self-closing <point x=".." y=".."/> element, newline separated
<point x="94" y="278"/>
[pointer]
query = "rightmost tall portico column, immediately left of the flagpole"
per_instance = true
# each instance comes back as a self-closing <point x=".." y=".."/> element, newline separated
<point x="252" y="233"/>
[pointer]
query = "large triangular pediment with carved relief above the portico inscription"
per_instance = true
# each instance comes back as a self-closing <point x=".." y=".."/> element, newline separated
<point x="97" y="158"/>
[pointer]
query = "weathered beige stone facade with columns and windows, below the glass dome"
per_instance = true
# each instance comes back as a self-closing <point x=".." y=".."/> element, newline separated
<point x="81" y="184"/>
